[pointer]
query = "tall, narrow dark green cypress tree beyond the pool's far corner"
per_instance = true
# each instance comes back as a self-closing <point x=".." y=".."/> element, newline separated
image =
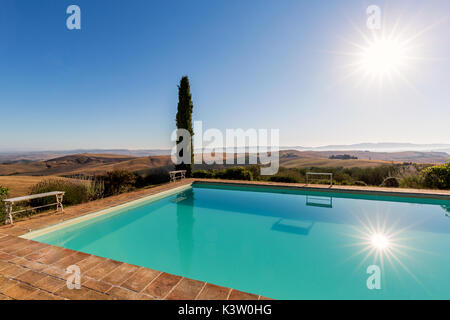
<point x="184" y="119"/>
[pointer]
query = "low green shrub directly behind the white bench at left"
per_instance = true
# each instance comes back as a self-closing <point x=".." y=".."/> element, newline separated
<point x="76" y="192"/>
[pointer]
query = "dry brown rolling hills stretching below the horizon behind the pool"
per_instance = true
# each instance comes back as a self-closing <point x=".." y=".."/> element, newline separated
<point x="90" y="164"/>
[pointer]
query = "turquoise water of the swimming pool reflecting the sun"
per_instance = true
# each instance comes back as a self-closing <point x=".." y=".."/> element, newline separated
<point x="282" y="244"/>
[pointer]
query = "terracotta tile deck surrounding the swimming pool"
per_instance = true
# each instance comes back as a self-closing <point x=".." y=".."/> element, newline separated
<point x="32" y="270"/>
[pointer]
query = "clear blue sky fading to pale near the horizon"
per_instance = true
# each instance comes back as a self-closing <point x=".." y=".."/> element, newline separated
<point x="252" y="64"/>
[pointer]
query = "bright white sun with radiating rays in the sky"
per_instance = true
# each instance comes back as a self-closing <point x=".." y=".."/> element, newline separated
<point x="385" y="57"/>
